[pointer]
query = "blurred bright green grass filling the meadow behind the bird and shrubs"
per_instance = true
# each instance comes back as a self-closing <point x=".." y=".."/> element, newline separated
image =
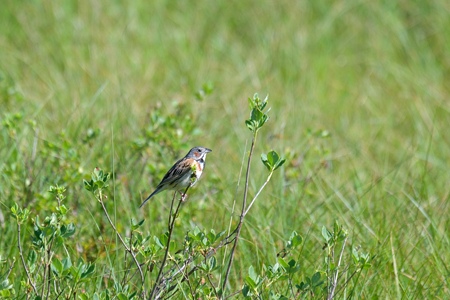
<point x="373" y="74"/>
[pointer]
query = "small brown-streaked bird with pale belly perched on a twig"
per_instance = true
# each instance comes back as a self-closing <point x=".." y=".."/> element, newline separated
<point x="185" y="172"/>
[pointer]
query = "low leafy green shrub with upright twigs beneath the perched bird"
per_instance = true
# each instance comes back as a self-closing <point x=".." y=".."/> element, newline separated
<point x="159" y="266"/>
